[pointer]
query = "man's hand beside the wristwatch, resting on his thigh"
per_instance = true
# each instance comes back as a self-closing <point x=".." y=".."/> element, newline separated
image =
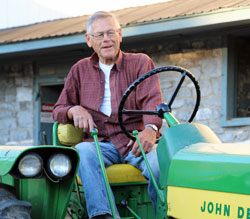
<point x="147" y="138"/>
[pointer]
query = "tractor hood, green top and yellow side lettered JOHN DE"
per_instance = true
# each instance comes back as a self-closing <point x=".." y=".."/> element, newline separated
<point x="207" y="180"/>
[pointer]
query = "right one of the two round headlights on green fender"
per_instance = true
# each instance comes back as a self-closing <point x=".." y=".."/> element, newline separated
<point x="59" y="165"/>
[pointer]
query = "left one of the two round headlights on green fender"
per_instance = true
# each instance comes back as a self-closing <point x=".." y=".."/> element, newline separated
<point x="30" y="165"/>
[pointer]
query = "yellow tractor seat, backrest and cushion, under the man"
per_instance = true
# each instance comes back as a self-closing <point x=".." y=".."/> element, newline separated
<point x="68" y="135"/>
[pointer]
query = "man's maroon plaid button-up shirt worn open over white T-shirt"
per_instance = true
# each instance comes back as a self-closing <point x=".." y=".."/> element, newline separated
<point x="85" y="86"/>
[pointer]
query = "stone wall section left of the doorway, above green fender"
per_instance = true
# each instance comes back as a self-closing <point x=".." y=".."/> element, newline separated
<point x="16" y="104"/>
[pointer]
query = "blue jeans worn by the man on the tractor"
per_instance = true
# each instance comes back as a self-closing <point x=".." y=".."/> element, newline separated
<point x="91" y="176"/>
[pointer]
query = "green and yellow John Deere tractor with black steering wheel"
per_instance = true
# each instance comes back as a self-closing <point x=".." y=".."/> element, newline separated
<point x="199" y="176"/>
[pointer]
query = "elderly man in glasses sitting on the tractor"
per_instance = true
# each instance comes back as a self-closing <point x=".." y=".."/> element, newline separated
<point x="90" y="98"/>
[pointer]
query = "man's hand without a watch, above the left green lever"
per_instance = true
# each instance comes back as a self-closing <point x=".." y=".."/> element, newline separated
<point x="82" y="118"/>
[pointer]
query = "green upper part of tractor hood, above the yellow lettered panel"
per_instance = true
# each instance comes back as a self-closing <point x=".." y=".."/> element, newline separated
<point x="218" y="167"/>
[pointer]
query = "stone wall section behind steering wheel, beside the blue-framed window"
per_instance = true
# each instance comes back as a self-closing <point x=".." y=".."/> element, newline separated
<point x="206" y="65"/>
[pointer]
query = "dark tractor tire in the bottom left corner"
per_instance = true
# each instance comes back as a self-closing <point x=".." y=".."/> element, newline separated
<point x="11" y="207"/>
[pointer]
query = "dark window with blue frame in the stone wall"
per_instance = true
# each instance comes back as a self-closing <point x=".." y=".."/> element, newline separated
<point x="236" y="83"/>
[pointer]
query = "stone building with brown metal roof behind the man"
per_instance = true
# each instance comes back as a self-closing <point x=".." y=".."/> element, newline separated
<point x="209" y="38"/>
